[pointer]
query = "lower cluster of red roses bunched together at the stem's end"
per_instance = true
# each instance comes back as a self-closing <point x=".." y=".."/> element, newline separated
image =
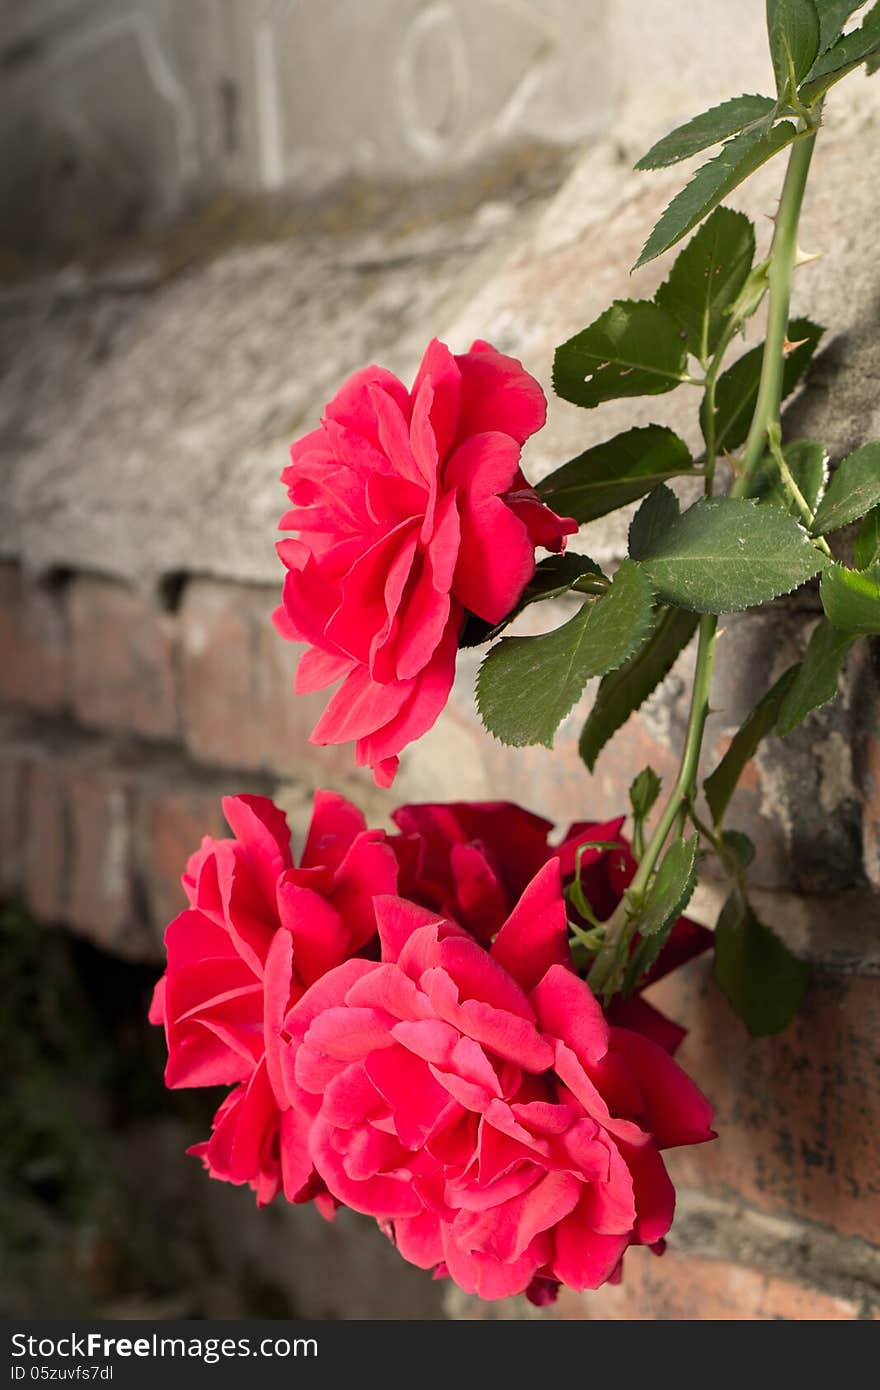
<point x="404" y="1032"/>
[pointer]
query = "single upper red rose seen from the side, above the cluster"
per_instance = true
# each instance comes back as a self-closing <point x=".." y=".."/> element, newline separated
<point x="411" y="509"/>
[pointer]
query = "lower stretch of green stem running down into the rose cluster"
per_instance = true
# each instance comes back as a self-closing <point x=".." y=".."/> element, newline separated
<point x="617" y="929"/>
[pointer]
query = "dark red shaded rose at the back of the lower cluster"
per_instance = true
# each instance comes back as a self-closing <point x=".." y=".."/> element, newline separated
<point x="472" y="861"/>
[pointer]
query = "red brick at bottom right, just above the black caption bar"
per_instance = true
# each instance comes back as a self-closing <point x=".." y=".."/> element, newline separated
<point x="683" y="1288"/>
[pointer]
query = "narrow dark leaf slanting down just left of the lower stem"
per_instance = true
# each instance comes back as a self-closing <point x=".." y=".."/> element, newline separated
<point x="624" y="692"/>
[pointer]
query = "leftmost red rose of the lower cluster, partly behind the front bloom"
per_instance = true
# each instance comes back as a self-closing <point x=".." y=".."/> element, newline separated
<point x="259" y="932"/>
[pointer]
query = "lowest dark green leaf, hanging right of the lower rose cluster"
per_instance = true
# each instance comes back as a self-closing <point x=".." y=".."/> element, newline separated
<point x="763" y="981"/>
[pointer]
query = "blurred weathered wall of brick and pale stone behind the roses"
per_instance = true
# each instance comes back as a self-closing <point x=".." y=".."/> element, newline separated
<point x="212" y="213"/>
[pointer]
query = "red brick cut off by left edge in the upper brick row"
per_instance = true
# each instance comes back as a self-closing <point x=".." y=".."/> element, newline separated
<point x="34" y="643"/>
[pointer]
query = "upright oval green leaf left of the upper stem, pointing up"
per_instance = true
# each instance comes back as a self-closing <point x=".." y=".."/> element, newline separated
<point x="708" y="277"/>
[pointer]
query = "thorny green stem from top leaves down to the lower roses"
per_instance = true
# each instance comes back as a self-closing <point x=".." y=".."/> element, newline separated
<point x="621" y="926"/>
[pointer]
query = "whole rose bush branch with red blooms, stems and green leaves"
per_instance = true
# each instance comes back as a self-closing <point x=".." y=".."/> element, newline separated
<point x="412" y="1024"/>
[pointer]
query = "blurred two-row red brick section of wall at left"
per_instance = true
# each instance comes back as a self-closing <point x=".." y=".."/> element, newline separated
<point x="122" y="726"/>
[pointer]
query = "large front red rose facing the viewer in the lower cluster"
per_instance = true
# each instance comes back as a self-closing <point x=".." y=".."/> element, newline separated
<point x="483" y="1109"/>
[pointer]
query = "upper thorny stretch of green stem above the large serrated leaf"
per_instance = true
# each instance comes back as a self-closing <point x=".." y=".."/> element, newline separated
<point x="783" y="255"/>
